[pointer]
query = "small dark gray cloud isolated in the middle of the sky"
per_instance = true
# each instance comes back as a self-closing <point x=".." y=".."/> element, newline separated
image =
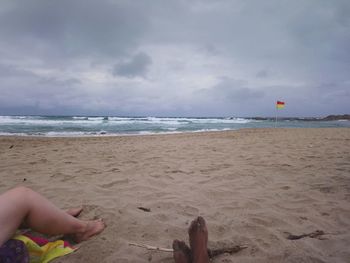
<point x="136" y="66"/>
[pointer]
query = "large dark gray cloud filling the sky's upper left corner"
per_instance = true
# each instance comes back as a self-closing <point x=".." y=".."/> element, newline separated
<point x="72" y="28"/>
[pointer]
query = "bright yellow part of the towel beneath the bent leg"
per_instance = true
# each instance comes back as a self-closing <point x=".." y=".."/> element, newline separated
<point x="46" y="253"/>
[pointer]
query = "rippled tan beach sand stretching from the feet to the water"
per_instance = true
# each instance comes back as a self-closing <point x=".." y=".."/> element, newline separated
<point x="250" y="185"/>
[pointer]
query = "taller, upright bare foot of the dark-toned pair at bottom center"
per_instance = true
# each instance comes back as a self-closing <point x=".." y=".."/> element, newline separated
<point x="198" y="234"/>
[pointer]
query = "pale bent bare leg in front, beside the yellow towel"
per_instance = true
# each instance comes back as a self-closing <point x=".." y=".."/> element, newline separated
<point x="22" y="204"/>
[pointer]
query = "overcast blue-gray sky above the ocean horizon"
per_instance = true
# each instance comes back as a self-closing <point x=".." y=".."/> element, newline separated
<point x="174" y="58"/>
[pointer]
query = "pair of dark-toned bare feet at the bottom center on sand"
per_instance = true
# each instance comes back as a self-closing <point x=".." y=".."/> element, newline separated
<point x="198" y="251"/>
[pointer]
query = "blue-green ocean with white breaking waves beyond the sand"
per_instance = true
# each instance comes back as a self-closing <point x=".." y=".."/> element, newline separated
<point x="73" y="126"/>
